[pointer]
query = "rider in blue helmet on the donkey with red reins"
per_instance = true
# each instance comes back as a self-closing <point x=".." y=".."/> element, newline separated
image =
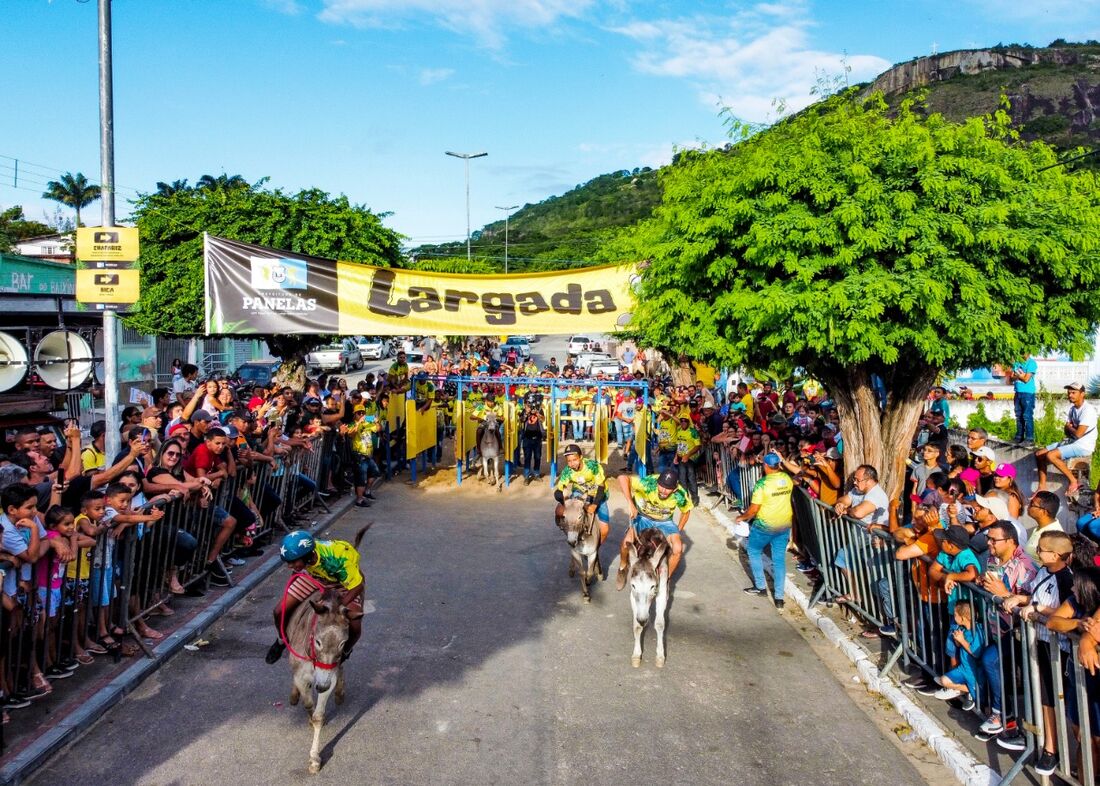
<point x="335" y="564"/>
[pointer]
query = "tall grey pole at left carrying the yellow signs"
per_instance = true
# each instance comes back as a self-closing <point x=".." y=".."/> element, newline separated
<point x="107" y="201"/>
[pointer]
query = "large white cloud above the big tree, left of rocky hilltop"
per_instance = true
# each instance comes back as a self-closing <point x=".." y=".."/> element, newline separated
<point x="750" y="59"/>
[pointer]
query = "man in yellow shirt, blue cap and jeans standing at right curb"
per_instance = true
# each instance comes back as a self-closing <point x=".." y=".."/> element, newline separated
<point x="772" y="516"/>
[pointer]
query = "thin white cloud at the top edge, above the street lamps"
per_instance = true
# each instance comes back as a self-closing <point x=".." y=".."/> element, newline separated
<point x="486" y="20"/>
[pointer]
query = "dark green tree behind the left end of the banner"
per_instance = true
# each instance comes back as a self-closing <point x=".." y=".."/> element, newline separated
<point x="307" y="223"/>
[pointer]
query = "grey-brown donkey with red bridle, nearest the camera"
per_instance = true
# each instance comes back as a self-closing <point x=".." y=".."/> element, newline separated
<point x="316" y="635"/>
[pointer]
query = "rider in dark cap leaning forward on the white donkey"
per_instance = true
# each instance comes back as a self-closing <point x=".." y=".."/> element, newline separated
<point x="653" y="501"/>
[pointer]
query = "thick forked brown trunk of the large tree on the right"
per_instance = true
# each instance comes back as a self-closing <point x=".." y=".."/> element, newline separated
<point x="872" y="436"/>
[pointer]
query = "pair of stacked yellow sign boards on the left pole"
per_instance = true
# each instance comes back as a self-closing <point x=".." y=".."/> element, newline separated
<point x="109" y="281"/>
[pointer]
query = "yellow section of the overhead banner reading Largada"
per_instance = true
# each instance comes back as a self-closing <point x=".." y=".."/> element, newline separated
<point x="384" y="302"/>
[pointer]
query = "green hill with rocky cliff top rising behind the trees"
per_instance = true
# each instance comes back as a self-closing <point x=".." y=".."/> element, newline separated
<point x="1054" y="95"/>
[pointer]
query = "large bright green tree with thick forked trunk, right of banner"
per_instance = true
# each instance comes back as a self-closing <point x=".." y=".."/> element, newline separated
<point x="857" y="243"/>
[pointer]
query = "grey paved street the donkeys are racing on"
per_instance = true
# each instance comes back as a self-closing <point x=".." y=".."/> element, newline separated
<point x="481" y="665"/>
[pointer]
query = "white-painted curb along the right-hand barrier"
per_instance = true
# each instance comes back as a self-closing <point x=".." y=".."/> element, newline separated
<point x="969" y="770"/>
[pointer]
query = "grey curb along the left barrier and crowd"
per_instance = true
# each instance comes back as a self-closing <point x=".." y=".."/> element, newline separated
<point x="73" y="727"/>
